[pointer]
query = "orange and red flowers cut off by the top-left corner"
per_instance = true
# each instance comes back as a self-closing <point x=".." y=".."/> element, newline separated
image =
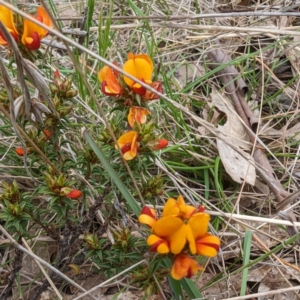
<point x="32" y="33"/>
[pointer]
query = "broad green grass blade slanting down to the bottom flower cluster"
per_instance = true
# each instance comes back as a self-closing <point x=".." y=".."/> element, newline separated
<point x="114" y="176"/>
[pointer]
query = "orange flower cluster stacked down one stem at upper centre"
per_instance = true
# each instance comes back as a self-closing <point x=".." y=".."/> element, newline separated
<point x="130" y="93"/>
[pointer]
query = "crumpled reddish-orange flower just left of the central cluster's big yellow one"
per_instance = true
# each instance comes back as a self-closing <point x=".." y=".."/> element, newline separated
<point x="110" y="85"/>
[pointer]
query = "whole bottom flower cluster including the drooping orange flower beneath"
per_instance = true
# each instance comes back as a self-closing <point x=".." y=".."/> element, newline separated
<point x="181" y="228"/>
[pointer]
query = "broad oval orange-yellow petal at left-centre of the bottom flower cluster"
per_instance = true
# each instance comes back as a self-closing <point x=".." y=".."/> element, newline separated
<point x="166" y="227"/>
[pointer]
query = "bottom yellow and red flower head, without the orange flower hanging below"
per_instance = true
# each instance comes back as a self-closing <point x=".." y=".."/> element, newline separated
<point x="179" y="226"/>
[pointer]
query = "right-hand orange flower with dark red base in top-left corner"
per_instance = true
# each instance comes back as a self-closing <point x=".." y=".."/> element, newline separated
<point x="33" y="33"/>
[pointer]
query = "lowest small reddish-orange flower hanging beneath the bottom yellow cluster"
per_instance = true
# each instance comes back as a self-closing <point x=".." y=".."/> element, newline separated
<point x="184" y="266"/>
